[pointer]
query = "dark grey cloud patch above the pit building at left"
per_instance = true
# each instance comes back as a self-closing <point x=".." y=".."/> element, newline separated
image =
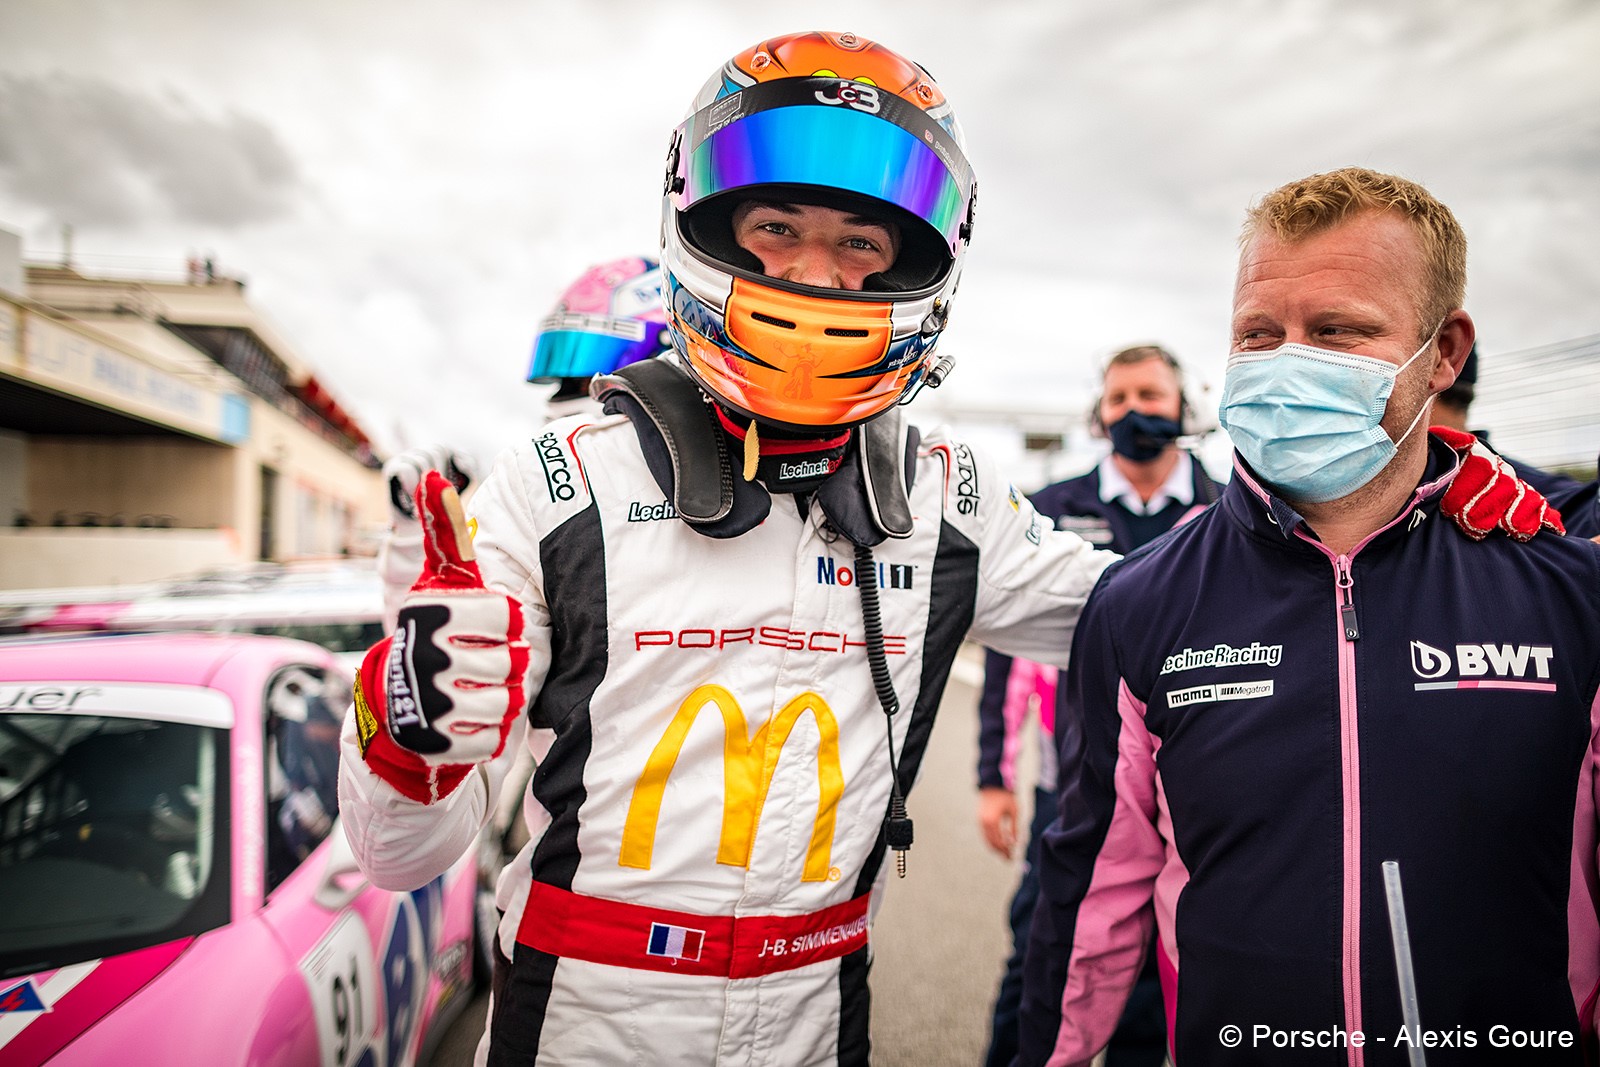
<point x="94" y="154"/>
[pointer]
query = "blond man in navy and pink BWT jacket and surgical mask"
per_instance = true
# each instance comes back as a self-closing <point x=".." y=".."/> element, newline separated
<point x="1319" y="676"/>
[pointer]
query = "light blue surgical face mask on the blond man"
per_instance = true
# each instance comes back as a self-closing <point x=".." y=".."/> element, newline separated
<point x="1310" y="420"/>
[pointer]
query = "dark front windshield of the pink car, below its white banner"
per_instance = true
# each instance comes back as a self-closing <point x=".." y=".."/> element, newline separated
<point x="113" y="836"/>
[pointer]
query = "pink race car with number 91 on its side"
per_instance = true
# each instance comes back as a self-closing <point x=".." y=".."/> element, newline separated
<point x="175" y="887"/>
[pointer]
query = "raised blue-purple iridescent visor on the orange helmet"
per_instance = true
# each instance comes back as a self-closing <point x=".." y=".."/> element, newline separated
<point x="834" y="148"/>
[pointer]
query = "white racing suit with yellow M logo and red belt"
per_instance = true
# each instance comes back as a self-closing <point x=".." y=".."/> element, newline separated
<point x="708" y="812"/>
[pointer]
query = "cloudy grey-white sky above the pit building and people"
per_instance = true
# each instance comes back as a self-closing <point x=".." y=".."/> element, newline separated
<point x="407" y="186"/>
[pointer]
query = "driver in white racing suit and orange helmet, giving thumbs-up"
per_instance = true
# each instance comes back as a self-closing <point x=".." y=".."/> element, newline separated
<point x="732" y="604"/>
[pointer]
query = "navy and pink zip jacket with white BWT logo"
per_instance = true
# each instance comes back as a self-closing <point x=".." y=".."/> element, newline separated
<point x="1252" y="725"/>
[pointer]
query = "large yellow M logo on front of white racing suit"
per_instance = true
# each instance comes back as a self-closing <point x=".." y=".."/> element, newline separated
<point x="748" y="767"/>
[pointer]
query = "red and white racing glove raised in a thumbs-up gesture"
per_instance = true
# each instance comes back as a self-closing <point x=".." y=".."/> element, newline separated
<point x="439" y="695"/>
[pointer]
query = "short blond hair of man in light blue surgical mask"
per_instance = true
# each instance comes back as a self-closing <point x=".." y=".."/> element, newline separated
<point x="1313" y="206"/>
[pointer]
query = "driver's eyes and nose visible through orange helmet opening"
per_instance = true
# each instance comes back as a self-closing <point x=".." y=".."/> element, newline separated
<point x="814" y="246"/>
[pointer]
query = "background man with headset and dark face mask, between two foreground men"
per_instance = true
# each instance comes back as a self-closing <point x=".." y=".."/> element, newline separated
<point x="1145" y="487"/>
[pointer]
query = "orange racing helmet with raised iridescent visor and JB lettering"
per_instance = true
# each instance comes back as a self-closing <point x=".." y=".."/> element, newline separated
<point x="833" y="121"/>
